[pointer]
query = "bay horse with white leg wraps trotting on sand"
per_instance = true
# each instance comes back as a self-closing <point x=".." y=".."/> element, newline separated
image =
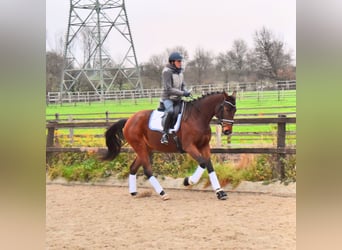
<point x="194" y="136"/>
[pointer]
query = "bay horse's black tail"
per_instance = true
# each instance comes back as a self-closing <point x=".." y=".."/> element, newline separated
<point x="114" y="139"/>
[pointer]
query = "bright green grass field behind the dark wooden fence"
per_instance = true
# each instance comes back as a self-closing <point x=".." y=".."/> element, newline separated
<point x="247" y="103"/>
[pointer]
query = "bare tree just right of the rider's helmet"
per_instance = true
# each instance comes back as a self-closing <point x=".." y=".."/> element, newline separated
<point x="201" y="63"/>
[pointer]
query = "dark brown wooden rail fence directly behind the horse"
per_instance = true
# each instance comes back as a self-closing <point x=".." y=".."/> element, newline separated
<point x="281" y="150"/>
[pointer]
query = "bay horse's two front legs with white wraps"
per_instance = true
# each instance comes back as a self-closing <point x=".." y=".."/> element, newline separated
<point x="203" y="158"/>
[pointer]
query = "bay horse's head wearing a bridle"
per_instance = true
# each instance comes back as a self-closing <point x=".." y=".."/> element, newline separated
<point x="226" y="112"/>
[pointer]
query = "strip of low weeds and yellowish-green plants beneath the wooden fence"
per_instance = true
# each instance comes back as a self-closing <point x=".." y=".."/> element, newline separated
<point x="87" y="167"/>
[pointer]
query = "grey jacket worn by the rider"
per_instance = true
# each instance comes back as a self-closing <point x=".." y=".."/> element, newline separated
<point x="173" y="83"/>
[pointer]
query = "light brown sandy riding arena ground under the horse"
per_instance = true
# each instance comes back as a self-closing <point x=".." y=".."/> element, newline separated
<point x="107" y="217"/>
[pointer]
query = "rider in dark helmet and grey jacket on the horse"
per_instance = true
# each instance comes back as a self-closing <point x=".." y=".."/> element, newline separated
<point x="173" y="90"/>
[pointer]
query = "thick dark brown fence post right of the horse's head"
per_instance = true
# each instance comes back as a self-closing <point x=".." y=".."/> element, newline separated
<point x="281" y="138"/>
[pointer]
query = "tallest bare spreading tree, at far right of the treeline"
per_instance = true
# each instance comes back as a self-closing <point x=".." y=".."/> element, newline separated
<point x="270" y="54"/>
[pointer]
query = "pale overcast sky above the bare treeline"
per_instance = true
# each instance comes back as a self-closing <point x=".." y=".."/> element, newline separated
<point x="212" y="25"/>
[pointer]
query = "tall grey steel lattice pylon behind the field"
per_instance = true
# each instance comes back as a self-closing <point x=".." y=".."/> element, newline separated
<point x="98" y="31"/>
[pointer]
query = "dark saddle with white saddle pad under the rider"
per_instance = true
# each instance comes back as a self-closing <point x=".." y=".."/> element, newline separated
<point x="155" y="121"/>
